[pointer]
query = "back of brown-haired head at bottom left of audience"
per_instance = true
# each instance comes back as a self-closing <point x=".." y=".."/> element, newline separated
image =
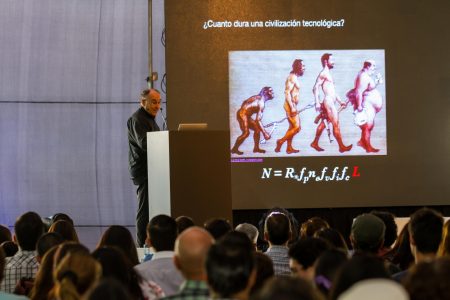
<point x="74" y="275"/>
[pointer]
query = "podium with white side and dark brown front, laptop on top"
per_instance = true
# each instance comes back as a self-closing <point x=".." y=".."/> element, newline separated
<point x="189" y="174"/>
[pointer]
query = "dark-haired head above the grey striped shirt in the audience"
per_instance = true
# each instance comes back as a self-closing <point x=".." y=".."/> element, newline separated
<point x="277" y="228"/>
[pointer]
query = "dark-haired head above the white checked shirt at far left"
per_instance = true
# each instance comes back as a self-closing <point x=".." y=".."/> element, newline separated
<point x="28" y="229"/>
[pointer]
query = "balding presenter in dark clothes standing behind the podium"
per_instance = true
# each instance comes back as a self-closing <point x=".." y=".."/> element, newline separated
<point x="141" y="122"/>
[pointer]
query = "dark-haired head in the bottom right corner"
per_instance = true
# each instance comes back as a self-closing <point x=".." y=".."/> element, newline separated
<point x="429" y="280"/>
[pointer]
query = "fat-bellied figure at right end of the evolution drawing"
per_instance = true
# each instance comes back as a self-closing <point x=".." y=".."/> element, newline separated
<point x="367" y="102"/>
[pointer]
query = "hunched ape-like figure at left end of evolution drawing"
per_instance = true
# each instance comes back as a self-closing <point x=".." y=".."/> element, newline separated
<point x="253" y="105"/>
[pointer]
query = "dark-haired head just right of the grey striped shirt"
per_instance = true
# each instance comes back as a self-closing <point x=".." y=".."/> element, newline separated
<point x="307" y="250"/>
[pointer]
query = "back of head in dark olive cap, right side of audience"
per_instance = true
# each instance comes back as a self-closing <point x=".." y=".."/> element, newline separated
<point x="367" y="233"/>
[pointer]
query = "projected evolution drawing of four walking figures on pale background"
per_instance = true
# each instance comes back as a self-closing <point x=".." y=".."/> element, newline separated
<point x="307" y="103"/>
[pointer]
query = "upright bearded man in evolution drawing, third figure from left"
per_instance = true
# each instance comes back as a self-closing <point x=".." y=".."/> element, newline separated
<point x="326" y="106"/>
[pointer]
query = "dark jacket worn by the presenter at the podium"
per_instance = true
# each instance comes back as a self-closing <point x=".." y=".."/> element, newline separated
<point x="138" y="125"/>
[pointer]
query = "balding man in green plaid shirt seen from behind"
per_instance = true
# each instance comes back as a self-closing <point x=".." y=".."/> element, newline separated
<point x="191" y="248"/>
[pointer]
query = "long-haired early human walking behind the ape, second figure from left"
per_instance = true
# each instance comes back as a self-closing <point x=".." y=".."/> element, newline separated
<point x="292" y="95"/>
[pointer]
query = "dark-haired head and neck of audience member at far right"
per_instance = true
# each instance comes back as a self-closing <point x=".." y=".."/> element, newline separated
<point x="425" y="234"/>
